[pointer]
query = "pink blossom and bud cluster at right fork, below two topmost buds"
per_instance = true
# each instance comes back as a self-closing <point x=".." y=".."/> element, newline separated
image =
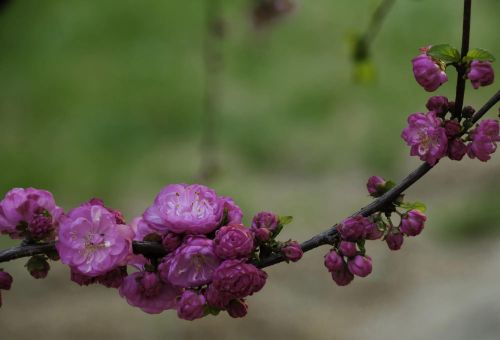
<point x="434" y="135"/>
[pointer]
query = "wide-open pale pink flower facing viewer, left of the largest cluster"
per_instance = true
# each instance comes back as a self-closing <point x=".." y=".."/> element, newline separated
<point x="91" y="242"/>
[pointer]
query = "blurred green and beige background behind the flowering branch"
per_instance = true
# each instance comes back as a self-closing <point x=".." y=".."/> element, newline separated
<point x="106" y="99"/>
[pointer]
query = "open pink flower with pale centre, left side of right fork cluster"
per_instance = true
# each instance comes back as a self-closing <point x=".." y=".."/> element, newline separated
<point x="426" y="137"/>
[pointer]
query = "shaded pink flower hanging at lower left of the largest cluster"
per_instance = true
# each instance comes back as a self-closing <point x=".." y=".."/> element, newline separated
<point x="146" y="291"/>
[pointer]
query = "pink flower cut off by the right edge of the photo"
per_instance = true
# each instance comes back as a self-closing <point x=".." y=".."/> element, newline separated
<point x="484" y="140"/>
